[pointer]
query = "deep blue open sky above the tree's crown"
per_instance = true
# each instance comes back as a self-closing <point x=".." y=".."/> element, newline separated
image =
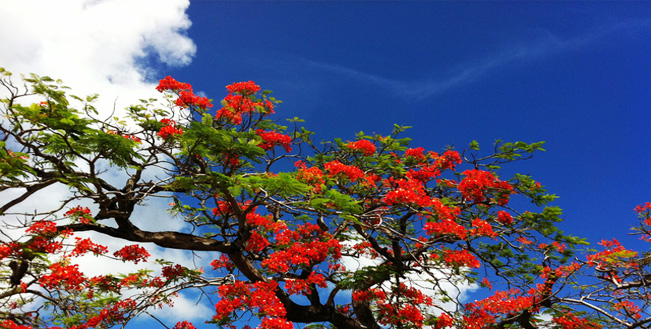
<point x="576" y="75"/>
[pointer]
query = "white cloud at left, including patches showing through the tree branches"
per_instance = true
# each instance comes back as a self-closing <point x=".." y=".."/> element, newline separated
<point x="104" y="47"/>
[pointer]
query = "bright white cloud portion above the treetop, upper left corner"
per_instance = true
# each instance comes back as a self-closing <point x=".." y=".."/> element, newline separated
<point x="95" y="46"/>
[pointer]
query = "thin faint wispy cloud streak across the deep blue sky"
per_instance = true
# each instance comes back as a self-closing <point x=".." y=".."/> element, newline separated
<point x="542" y="44"/>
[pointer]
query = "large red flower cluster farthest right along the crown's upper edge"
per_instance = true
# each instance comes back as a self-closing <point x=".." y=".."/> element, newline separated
<point x="478" y="182"/>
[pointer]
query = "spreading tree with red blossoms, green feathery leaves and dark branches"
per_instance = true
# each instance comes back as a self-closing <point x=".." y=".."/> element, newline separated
<point x="287" y="217"/>
